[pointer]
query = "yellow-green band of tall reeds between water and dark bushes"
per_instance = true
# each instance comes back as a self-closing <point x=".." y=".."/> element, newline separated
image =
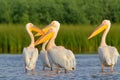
<point x="13" y="38"/>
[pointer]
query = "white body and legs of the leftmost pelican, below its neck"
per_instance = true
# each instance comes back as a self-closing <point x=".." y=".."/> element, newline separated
<point x="31" y="56"/>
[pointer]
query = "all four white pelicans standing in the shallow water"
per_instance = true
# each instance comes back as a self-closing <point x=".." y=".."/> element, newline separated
<point x="60" y="56"/>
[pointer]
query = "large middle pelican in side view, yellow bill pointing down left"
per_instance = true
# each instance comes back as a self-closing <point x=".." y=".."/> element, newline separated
<point x="60" y="56"/>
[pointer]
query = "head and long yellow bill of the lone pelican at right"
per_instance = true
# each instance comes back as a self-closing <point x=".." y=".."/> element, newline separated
<point x="104" y="26"/>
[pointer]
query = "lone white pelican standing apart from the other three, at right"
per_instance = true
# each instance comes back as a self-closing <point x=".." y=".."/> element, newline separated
<point x="108" y="54"/>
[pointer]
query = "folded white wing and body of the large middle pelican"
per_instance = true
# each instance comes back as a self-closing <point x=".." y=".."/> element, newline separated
<point x="62" y="58"/>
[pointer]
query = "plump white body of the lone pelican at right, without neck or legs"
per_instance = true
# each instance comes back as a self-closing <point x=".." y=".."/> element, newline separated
<point x="108" y="55"/>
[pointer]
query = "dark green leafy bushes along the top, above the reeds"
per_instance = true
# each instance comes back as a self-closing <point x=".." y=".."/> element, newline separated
<point x="65" y="11"/>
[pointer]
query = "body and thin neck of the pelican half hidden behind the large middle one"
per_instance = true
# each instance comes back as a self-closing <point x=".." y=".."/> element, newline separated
<point x="45" y="59"/>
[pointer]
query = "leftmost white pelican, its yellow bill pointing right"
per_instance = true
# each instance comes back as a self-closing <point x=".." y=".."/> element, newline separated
<point x="30" y="53"/>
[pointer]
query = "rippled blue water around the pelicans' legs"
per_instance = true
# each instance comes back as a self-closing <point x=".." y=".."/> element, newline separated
<point x="88" y="68"/>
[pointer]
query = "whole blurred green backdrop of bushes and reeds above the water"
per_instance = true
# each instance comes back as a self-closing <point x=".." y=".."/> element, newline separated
<point x="78" y="19"/>
